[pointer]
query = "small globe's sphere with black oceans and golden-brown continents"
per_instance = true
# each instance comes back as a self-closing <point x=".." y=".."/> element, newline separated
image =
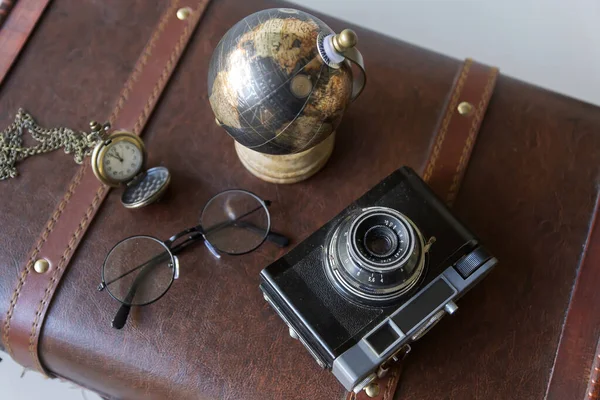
<point x="270" y="89"/>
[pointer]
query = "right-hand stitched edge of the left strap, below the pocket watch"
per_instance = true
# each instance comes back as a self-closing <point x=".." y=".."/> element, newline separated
<point x="54" y="280"/>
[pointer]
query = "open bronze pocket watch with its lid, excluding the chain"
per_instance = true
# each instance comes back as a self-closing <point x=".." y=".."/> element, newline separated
<point x="119" y="160"/>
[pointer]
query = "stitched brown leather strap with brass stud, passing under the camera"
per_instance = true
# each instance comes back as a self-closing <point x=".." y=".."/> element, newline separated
<point x="449" y="155"/>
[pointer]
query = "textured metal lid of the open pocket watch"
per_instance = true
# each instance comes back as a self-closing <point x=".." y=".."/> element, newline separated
<point x="146" y="189"/>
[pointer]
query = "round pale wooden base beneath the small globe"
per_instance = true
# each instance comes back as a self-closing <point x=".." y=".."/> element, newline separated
<point x="289" y="168"/>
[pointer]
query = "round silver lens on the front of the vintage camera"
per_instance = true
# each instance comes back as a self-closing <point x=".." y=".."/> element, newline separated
<point x="375" y="255"/>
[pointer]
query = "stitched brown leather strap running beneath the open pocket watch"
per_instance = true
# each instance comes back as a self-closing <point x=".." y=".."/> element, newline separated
<point x="71" y="218"/>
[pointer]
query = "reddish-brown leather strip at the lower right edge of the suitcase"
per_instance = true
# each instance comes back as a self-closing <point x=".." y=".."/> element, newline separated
<point x="579" y="346"/>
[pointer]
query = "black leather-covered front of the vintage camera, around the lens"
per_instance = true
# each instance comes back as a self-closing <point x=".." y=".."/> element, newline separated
<point x="326" y="320"/>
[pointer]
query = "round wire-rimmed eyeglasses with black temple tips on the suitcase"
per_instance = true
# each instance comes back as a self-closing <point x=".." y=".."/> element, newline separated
<point x="139" y="270"/>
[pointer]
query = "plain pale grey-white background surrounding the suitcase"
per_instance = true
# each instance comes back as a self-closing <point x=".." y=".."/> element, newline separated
<point x="552" y="43"/>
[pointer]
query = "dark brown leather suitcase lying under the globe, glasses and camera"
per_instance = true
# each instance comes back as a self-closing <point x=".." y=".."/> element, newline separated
<point x="528" y="331"/>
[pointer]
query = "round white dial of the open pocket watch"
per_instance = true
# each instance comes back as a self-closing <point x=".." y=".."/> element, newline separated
<point x="122" y="160"/>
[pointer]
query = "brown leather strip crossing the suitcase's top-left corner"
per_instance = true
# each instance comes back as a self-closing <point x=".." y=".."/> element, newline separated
<point x="17" y="20"/>
